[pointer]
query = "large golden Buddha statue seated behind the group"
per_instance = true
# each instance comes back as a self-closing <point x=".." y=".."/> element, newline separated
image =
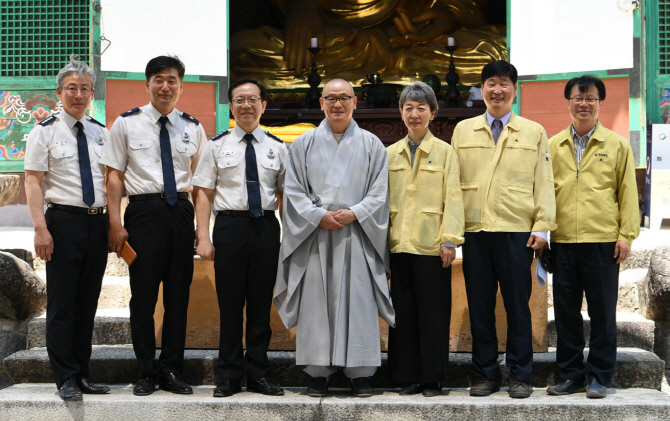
<point x="400" y="39"/>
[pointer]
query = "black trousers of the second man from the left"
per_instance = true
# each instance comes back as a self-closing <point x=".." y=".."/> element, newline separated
<point x="163" y="237"/>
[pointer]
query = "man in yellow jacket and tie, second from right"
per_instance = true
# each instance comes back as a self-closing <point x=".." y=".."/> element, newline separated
<point x="508" y="196"/>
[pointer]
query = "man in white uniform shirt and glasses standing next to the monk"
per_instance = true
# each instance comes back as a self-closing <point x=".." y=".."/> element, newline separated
<point x="243" y="170"/>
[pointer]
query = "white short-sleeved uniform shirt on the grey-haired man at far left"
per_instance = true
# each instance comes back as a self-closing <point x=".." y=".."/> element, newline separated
<point x="52" y="148"/>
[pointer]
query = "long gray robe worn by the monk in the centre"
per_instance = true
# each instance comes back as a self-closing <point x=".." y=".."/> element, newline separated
<point x="332" y="284"/>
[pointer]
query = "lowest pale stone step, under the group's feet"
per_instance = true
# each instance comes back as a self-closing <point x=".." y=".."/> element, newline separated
<point x="39" y="402"/>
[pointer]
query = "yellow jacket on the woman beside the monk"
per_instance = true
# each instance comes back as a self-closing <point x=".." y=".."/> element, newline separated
<point x="426" y="200"/>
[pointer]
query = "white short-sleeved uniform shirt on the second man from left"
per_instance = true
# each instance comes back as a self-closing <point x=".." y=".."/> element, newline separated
<point x="134" y="147"/>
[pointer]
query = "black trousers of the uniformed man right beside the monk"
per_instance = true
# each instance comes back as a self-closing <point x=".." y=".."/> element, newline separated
<point x="245" y="267"/>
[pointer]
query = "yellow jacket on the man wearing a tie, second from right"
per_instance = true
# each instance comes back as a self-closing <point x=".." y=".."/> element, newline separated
<point x="507" y="187"/>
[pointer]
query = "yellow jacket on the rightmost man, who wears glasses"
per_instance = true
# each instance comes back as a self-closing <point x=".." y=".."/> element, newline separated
<point x="597" y="202"/>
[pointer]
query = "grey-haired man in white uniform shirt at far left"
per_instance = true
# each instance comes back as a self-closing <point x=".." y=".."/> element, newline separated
<point x="63" y="170"/>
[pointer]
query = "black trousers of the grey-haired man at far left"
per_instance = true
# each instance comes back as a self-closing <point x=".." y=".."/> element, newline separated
<point x="74" y="278"/>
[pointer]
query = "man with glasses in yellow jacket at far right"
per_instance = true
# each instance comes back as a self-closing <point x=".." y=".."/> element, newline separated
<point x="597" y="215"/>
